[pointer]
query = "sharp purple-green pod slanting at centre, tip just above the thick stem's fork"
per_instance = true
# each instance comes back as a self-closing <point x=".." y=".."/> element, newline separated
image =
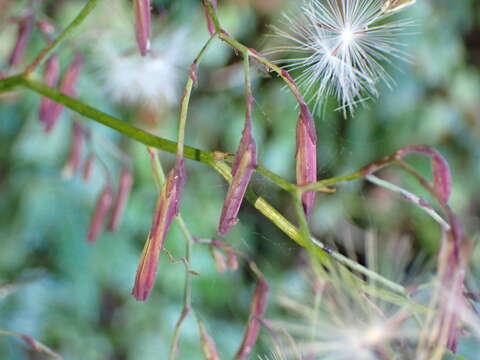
<point x="242" y="170"/>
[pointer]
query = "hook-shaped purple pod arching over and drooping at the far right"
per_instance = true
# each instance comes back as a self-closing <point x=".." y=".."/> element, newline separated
<point x="442" y="178"/>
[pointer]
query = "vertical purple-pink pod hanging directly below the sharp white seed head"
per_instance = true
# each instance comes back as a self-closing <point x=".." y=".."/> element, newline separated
<point x="306" y="156"/>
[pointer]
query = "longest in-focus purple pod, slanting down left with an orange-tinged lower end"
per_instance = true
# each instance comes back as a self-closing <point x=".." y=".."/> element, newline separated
<point x="167" y="208"/>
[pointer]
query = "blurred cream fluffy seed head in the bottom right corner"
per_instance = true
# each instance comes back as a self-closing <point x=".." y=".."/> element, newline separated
<point x="342" y="318"/>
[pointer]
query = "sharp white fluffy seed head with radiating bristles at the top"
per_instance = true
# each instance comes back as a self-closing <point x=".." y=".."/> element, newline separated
<point x="341" y="47"/>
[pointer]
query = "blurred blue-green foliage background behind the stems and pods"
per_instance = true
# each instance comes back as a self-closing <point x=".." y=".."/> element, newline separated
<point x="76" y="297"/>
